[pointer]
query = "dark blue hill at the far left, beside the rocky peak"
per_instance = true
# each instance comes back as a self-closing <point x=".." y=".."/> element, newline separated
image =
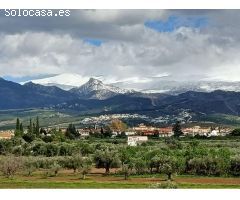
<point x="14" y="95"/>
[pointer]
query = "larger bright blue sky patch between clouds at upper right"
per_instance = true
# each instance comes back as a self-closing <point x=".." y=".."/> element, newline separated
<point x="175" y="22"/>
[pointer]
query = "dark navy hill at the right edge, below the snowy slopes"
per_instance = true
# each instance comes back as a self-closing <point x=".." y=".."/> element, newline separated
<point x="201" y="102"/>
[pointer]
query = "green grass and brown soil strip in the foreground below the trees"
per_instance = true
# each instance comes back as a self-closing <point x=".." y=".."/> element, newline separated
<point x="67" y="180"/>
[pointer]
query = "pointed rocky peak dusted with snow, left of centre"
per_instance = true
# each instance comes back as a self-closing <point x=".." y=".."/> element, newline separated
<point x="96" y="89"/>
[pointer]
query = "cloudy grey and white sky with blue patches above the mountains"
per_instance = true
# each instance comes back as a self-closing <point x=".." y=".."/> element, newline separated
<point x="131" y="47"/>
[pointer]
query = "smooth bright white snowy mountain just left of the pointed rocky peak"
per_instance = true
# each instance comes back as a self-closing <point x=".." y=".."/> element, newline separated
<point x="65" y="81"/>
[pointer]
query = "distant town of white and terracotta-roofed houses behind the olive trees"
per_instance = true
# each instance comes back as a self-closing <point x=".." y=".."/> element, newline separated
<point x="117" y="128"/>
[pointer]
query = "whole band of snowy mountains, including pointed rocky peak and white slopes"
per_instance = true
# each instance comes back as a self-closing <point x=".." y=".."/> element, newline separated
<point x="69" y="81"/>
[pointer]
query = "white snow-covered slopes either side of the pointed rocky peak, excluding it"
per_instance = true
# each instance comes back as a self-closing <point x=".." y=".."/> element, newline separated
<point x="165" y="85"/>
